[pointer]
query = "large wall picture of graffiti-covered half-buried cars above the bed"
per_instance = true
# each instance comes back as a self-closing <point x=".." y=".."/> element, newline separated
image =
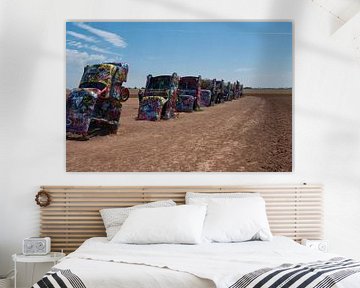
<point x="179" y="96"/>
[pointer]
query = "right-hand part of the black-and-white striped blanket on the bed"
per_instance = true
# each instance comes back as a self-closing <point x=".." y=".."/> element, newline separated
<point x="320" y="274"/>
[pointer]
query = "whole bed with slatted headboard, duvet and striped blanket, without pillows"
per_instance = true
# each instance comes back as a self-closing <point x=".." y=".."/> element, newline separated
<point x="281" y="262"/>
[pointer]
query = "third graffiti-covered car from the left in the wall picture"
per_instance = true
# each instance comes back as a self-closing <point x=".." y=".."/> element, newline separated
<point x="189" y="94"/>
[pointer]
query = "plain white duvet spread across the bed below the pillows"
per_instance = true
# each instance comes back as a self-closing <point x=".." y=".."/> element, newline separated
<point x="100" y="263"/>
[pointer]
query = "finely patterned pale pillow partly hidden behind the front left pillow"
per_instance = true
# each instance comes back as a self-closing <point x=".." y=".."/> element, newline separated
<point x="113" y="218"/>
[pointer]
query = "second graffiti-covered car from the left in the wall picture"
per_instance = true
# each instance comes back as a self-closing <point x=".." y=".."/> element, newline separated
<point x="159" y="98"/>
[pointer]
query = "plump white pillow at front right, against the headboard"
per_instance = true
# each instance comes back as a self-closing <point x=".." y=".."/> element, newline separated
<point x="236" y="220"/>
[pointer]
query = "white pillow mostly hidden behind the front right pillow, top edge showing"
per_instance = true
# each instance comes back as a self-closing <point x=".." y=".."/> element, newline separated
<point x="204" y="198"/>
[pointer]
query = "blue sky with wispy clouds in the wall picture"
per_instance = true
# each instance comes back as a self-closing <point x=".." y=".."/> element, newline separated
<point x="258" y="54"/>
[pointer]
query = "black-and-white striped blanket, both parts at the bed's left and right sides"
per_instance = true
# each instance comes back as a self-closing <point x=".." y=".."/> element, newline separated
<point x="319" y="274"/>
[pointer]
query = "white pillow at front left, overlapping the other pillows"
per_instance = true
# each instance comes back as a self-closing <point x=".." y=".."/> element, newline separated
<point x="178" y="225"/>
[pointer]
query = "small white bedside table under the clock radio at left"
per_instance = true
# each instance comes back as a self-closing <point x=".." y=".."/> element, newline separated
<point x="53" y="257"/>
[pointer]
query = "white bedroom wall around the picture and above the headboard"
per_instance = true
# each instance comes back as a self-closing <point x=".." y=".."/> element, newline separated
<point x="326" y="125"/>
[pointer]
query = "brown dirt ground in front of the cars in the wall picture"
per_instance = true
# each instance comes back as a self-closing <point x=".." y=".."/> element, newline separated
<point x="253" y="133"/>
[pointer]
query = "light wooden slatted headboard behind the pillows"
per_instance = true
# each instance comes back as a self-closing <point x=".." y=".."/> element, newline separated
<point x="73" y="215"/>
